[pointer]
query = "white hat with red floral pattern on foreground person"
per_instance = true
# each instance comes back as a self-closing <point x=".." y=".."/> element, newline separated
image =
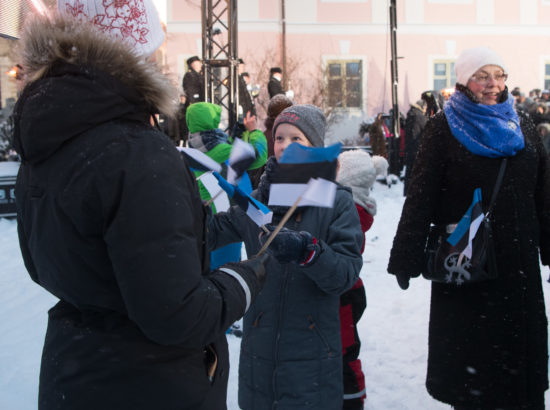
<point x="134" y="21"/>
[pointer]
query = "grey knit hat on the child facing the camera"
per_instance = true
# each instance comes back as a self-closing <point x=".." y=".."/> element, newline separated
<point x="308" y="119"/>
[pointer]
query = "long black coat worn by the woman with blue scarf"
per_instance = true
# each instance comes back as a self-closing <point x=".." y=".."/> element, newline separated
<point x="487" y="341"/>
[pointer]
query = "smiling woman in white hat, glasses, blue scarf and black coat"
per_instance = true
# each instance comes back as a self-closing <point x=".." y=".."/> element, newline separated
<point x="488" y="346"/>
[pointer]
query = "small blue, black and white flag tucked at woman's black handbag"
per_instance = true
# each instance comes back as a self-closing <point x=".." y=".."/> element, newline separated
<point x="465" y="231"/>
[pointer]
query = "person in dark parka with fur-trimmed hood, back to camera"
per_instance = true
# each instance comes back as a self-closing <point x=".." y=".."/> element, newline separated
<point x="110" y="222"/>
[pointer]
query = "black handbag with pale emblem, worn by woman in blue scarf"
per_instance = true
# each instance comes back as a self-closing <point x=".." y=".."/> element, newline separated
<point x="446" y="264"/>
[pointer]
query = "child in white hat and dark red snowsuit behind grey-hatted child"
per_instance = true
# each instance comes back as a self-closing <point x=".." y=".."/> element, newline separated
<point x="356" y="171"/>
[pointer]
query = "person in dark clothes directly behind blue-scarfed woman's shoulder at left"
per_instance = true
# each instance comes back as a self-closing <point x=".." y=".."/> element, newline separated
<point x="414" y="124"/>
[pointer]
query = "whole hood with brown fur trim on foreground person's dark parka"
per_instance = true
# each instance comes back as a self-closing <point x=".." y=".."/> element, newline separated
<point x="77" y="79"/>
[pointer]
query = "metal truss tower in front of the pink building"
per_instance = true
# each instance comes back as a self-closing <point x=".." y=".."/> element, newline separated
<point x="220" y="55"/>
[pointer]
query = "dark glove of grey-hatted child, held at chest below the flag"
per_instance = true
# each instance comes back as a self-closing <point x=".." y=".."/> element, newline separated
<point x="291" y="246"/>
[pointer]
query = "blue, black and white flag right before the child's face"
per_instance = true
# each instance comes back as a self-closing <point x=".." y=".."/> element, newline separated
<point x="305" y="172"/>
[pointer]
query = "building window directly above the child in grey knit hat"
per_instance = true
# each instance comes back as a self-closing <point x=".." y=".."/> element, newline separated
<point x="344" y="83"/>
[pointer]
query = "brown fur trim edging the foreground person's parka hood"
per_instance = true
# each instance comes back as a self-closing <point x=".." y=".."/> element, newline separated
<point x="46" y="42"/>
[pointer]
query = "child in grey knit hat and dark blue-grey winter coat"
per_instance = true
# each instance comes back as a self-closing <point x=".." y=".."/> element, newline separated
<point x="291" y="351"/>
